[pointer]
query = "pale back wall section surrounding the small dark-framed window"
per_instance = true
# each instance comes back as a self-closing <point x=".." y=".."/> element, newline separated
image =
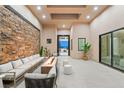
<point x="78" y="31"/>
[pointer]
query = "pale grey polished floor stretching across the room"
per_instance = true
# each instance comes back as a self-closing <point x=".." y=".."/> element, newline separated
<point x="86" y="74"/>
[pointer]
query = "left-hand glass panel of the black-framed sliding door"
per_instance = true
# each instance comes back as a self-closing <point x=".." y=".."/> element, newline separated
<point x="106" y="49"/>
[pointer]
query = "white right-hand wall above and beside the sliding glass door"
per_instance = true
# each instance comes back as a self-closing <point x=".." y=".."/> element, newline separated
<point x="111" y="19"/>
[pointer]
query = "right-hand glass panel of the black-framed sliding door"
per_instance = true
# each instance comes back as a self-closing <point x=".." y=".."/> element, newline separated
<point x="118" y="49"/>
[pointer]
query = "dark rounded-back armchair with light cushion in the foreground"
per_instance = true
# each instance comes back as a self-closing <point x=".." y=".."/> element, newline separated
<point x="36" y="80"/>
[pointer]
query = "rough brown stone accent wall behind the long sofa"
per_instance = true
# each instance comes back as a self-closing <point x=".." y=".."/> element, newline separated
<point x="17" y="37"/>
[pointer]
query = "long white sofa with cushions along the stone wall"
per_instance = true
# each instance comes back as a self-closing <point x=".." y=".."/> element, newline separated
<point x="14" y="70"/>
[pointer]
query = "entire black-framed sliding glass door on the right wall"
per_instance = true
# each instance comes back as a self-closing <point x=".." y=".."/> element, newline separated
<point x="112" y="49"/>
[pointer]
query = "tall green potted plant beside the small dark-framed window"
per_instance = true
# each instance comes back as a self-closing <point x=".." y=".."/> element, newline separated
<point x="86" y="48"/>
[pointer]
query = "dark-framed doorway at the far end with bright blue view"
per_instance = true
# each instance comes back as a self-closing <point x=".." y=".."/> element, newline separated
<point x="63" y="45"/>
